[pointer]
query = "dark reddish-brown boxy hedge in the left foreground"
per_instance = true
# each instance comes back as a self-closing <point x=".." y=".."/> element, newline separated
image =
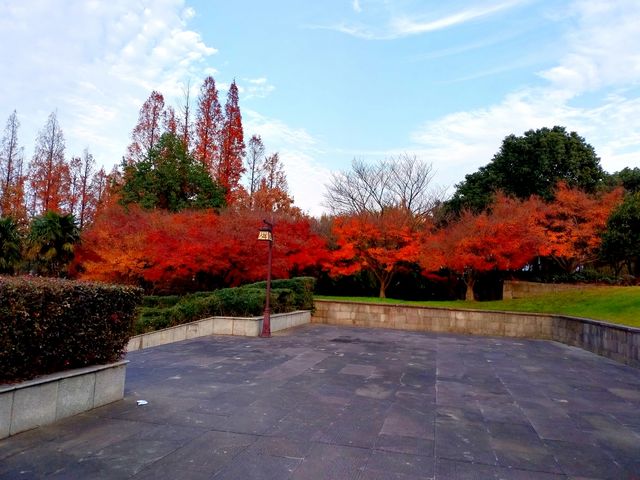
<point x="48" y="325"/>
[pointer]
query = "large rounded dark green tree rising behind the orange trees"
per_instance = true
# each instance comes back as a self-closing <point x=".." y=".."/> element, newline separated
<point x="531" y="164"/>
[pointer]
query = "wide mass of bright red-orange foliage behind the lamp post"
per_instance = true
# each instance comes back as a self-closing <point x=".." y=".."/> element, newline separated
<point x="192" y="249"/>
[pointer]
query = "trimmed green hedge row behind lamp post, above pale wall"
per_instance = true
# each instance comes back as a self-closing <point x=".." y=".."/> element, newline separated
<point x="246" y="301"/>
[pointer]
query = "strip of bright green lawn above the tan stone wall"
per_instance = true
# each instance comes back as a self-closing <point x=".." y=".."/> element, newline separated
<point x="612" y="304"/>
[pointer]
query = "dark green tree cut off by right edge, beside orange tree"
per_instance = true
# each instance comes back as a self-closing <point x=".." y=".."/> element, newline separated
<point x="621" y="240"/>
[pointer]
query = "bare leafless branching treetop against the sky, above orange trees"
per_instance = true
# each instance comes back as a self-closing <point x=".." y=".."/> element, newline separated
<point x="402" y="181"/>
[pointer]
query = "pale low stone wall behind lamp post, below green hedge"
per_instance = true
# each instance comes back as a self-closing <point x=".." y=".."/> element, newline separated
<point x="243" y="326"/>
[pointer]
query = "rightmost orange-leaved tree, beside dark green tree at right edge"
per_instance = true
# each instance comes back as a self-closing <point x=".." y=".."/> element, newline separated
<point x="573" y="224"/>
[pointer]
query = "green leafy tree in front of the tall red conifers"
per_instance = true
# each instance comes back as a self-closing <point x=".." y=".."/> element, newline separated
<point x="170" y="179"/>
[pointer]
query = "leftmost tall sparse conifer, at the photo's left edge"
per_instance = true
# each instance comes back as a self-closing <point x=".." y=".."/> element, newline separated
<point x="12" y="201"/>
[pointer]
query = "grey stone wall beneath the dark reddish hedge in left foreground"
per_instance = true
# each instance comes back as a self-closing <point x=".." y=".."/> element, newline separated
<point x="44" y="400"/>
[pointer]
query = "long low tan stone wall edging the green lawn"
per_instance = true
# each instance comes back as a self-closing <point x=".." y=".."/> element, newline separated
<point x="617" y="342"/>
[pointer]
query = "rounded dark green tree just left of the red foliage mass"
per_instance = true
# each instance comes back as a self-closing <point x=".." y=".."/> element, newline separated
<point x="51" y="243"/>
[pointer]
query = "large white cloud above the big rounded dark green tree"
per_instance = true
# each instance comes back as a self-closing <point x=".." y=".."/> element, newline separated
<point x="603" y="55"/>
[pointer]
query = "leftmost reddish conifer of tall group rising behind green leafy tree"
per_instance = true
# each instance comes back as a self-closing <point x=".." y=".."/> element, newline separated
<point x="147" y="131"/>
